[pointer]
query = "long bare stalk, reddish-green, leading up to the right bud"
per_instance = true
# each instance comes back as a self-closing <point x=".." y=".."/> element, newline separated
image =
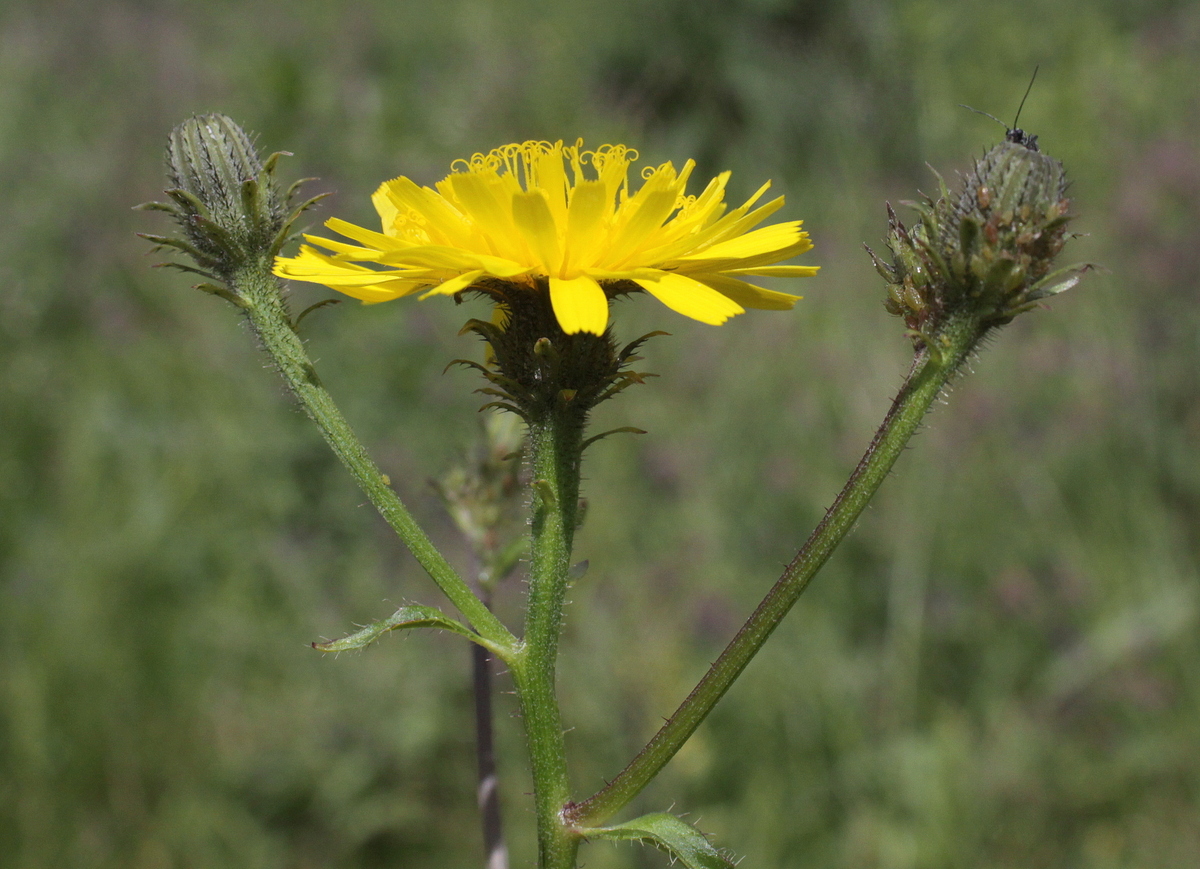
<point x="932" y="370"/>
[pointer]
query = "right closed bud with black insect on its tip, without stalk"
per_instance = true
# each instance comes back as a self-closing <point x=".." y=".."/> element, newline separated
<point x="988" y="251"/>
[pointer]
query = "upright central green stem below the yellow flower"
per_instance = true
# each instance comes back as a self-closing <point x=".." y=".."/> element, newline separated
<point x="555" y="450"/>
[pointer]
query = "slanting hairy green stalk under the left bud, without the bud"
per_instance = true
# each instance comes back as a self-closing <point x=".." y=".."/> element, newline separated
<point x="260" y="295"/>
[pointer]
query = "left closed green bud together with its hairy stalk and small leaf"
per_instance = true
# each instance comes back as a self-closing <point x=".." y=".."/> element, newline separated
<point x="233" y="224"/>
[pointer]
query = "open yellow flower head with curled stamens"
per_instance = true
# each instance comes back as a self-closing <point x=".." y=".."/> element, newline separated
<point x="539" y="214"/>
